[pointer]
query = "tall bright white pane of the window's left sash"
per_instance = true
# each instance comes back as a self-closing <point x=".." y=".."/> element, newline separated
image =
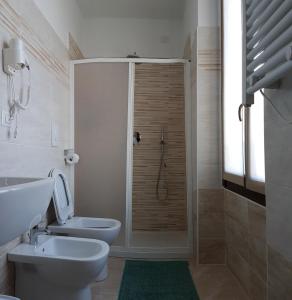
<point x="232" y="93"/>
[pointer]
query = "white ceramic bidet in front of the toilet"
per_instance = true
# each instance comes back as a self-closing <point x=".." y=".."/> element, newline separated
<point x="58" y="267"/>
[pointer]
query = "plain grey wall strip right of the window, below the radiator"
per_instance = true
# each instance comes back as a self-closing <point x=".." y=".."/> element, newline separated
<point x="278" y="149"/>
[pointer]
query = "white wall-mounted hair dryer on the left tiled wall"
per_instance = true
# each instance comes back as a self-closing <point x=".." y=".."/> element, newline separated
<point x="14" y="58"/>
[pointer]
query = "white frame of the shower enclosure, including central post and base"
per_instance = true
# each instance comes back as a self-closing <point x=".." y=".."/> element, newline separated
<point x="127" y="250"/>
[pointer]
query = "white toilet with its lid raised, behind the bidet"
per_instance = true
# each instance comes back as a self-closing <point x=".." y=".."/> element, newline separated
<point x="96" y="228"/>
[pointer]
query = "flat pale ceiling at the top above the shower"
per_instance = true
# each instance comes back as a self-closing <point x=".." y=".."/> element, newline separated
<point x="148" y="9"/>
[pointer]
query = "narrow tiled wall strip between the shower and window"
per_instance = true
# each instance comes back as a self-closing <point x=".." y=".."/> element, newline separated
<point x="206" y="81"/>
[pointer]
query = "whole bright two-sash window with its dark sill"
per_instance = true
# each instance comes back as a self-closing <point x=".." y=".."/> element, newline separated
<point x="243" y="141"/>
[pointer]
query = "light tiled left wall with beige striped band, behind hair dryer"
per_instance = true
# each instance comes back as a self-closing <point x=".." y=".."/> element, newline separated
<point x="31" y="154"/>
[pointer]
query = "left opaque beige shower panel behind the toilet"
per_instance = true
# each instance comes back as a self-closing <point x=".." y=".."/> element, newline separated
<point x="101" y="108"/>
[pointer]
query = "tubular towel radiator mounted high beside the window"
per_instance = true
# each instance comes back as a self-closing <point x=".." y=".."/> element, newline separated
<point x="268" y="43"/>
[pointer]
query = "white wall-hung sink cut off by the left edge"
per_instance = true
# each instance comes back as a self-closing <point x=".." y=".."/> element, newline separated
<point x="23" y="202"/>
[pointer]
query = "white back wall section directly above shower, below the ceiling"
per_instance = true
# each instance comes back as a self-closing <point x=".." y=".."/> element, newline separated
<point x="118" y="37"/>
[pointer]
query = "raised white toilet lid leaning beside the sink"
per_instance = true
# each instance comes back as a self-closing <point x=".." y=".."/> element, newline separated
<point x="62" y="197"/>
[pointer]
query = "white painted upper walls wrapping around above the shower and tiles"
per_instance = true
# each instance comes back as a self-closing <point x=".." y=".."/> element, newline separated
<point x="118" y="37"/>
